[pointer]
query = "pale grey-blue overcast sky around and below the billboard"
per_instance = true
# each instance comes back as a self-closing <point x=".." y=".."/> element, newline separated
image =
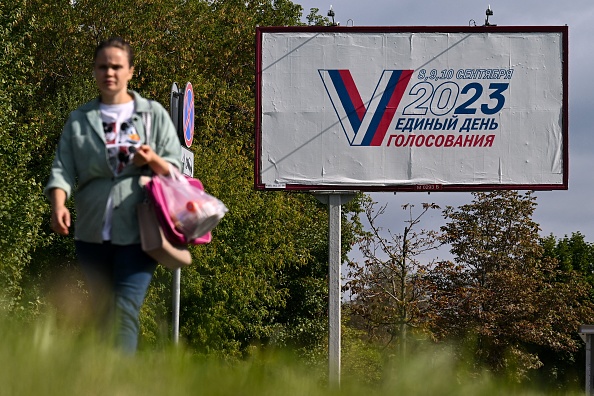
<point x="558" y="212"/>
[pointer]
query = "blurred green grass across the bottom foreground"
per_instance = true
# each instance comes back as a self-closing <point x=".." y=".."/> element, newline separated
<point x="40" y="359"/>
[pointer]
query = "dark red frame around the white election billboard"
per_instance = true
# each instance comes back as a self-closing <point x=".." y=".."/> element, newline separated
<point x="562" y="30"/>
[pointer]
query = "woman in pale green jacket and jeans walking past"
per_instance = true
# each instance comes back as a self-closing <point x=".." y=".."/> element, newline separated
<point x="100" y="157"/>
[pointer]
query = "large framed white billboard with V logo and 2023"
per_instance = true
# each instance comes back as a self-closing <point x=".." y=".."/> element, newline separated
<point x="411" y="108"/>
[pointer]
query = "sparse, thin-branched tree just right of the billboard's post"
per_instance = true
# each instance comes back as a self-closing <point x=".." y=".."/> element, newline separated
<point x="387" y="297"/>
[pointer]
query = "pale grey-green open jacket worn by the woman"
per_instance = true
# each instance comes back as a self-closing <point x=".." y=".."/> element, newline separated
<point x="81" y="168"/>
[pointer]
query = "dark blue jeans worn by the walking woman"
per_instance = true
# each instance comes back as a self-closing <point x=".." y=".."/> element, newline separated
<point x="117" y="279"/>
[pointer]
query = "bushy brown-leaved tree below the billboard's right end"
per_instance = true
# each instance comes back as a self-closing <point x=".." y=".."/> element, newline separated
<point x="500" y="293"/>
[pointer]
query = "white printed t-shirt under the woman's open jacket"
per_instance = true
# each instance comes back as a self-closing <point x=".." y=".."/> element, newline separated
<point x="121" y="141"/>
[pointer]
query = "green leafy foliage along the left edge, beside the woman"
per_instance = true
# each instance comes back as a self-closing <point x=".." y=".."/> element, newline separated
<point x="22" y="209"/>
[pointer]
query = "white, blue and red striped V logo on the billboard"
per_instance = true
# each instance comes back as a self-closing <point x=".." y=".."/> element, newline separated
<point x="365" y="126"/>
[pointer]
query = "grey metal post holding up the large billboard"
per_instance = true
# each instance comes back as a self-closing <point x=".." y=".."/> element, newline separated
<point x="334" y="200"/>
